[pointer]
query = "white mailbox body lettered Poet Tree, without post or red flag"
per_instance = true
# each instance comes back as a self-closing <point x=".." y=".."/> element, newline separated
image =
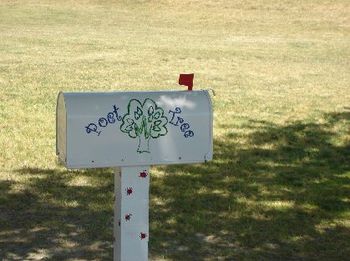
<point x="133" y="128"/>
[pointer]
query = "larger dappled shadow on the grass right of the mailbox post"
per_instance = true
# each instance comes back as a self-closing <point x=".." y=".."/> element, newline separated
<point x="282" y="195"/>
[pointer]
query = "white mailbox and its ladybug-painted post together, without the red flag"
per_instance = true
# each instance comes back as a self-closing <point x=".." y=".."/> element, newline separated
<point x="132" y="131"/>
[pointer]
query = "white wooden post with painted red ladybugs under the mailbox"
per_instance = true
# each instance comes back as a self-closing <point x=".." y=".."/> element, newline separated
<point x="131" y="208"/>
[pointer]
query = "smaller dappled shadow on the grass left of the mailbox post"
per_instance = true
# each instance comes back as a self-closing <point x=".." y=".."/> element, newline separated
<point x="55" y="217"/>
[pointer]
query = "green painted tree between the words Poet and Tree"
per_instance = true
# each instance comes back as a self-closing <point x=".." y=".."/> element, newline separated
<point x="144" y="121"/>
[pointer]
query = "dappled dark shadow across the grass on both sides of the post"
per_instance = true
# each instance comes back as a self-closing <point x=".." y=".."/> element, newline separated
<point x="282" y="194"/>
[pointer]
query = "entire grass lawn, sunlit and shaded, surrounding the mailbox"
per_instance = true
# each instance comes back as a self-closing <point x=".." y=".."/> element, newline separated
<point x="278" y="187"/>
